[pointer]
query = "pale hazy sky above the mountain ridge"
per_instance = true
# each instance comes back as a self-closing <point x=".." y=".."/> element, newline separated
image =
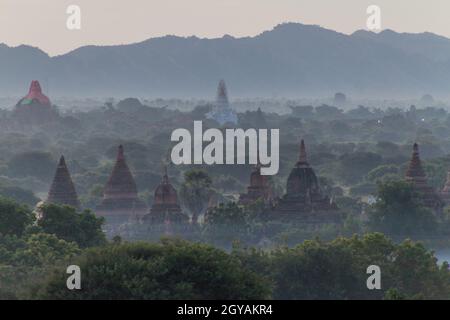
<point x="42" y="23"/>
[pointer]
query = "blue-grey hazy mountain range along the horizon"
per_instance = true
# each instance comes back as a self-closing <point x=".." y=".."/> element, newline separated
<point x="292" y="60"/>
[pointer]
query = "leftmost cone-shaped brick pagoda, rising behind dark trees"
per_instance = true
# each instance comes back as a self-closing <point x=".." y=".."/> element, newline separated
<point x="62" y="190"/>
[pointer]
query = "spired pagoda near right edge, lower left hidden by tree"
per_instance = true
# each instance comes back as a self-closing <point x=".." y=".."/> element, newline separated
<point x="416" y="175"/>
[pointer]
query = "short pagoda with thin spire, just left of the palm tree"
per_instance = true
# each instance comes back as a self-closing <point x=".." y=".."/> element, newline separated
<point x="165" y="208"/>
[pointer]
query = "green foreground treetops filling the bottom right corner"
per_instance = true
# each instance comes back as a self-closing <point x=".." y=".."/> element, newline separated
<point x="337" y="269"/>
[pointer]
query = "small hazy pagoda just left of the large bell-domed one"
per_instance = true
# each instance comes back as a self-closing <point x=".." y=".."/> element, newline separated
<point x="259" y="188"/>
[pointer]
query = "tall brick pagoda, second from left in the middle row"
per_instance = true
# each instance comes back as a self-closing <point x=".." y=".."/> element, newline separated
<point x="120" y="197"/>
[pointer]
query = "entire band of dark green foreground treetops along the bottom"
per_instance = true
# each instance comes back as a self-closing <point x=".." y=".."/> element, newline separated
<point x="175" y="269"/>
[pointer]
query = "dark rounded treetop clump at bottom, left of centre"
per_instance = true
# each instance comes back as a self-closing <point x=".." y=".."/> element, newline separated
<point x="171" y="269"/>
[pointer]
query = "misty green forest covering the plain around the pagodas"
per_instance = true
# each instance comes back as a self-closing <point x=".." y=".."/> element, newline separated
<point x="359" y="154"/>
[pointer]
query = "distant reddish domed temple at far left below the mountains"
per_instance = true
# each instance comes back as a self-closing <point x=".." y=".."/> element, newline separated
<point x="35" y="108"/>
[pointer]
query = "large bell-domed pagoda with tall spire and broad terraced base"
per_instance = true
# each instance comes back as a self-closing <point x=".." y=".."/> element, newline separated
<point x="304" y="200"/>
